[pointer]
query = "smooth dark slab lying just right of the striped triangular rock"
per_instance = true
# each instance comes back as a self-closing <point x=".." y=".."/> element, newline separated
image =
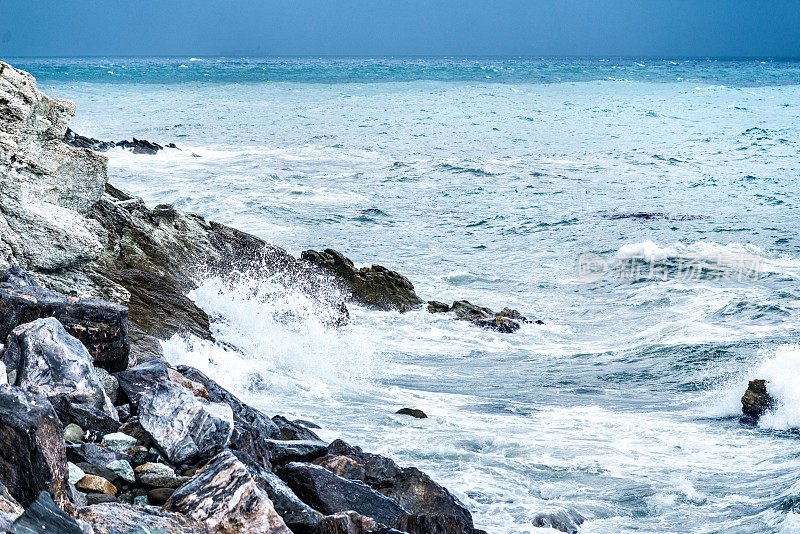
<point x="329" y="493"/>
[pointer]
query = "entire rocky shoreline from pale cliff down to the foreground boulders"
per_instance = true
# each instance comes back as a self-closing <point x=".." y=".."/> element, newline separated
<point x="101" y="434"/>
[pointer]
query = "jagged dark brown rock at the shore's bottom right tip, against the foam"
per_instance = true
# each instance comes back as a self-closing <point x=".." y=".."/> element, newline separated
<point x="434" y="507"/>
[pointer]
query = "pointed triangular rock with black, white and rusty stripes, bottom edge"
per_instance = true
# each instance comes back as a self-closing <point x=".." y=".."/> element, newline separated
<point x="209" y="499"/>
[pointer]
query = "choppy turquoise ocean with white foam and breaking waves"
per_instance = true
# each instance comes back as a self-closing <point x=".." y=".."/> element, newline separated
<point x="646" y="210"/>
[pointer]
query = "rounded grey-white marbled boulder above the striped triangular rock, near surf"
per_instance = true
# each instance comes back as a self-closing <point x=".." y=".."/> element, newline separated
<point x="184" y="427"/>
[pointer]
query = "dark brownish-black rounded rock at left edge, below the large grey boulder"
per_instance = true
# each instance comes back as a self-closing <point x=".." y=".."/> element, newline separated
<point x="32" y="458"/>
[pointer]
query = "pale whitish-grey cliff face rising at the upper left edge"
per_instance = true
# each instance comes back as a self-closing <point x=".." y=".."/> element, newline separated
<point x="46" y="186"/>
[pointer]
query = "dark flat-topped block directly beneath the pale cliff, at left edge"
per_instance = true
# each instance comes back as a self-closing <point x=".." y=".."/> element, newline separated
<point x="102" y="327"/>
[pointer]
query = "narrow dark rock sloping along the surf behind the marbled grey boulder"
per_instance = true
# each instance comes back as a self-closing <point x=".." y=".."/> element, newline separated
<point x="251" y="427"/>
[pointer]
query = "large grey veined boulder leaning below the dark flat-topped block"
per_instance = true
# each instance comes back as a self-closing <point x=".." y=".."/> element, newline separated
<point x="49" y="362"/>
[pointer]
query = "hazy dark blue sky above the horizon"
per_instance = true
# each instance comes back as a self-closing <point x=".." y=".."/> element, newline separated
<point x="665" y="28"/>
